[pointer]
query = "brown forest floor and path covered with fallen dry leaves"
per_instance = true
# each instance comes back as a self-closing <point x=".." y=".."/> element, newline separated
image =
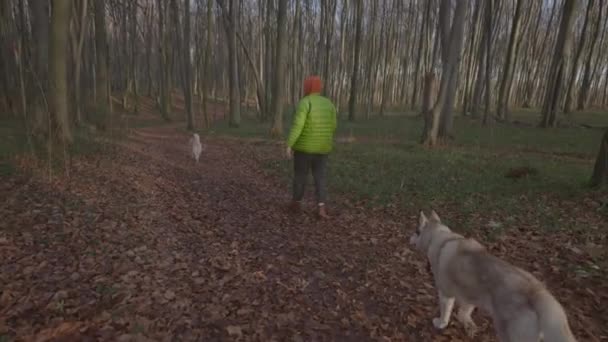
<point x="142" y="244"/>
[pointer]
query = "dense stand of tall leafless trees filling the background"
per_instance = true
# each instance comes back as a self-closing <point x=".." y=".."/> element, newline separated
<point x="482" y="58"/>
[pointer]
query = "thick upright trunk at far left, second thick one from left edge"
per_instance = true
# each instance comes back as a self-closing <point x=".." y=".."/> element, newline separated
<point x="58" y="60"/>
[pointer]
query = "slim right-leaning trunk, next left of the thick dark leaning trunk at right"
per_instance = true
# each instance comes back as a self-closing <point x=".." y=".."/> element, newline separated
<point x="507" y="77"/>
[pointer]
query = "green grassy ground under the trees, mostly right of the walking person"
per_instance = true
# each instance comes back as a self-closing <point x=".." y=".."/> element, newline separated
<point x="386" y="164"/>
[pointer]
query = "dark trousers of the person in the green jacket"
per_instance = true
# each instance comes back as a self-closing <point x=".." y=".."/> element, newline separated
<point x="303" y="163"/>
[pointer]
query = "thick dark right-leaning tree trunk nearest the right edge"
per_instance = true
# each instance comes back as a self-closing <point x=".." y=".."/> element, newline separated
<point x="556" y="72"/>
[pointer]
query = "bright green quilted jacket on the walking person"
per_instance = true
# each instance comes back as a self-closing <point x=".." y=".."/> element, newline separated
<point x="313" y="126"/>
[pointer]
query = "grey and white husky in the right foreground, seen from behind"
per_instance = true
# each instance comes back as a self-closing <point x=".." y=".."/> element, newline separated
<point x="521" y="307"/>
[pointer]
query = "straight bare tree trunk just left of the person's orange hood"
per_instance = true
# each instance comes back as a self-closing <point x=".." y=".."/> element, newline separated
<point x="280" y="62"/>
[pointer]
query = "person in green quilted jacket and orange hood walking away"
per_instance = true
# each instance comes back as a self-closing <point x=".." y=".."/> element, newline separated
<point x="309" y="143"/>
